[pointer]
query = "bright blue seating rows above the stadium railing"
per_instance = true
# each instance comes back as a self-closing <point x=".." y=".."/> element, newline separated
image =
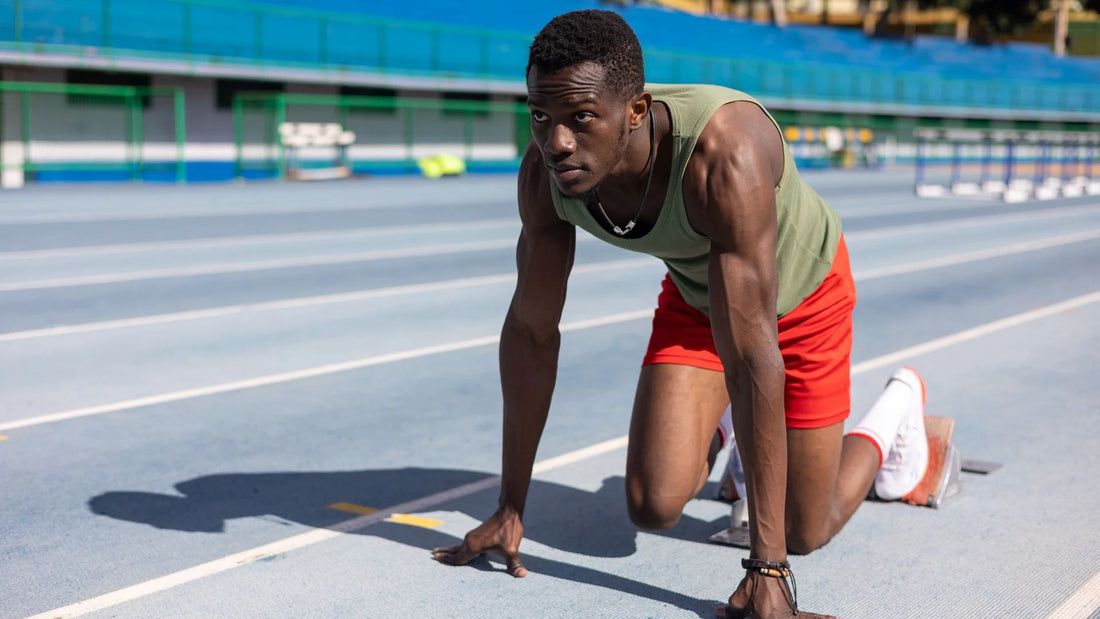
<point x="677" y="31"/>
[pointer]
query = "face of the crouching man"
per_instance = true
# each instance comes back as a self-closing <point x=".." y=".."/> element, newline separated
<point x="579" y="125"/>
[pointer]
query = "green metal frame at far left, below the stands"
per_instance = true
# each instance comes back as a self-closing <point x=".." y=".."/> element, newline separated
<point x="130" y="102"/>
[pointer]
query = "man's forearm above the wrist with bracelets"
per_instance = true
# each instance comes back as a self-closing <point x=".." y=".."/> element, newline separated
<point x="761" y="429"/>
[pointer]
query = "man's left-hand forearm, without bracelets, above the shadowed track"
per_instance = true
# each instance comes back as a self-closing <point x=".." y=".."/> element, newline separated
<point x="529" y="371"/>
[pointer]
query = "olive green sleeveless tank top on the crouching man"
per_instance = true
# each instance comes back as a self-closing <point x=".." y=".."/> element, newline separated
<point x="809" y="228"/>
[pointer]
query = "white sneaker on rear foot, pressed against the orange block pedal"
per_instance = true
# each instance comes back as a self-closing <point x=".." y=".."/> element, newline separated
<point x="906" y="465"/>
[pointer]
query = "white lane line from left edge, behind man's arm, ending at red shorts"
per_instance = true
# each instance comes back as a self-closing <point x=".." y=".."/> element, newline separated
<point x="301" y="374"/>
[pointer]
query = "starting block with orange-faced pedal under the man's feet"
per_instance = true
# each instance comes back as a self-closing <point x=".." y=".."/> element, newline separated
<point x="940" y="485"/>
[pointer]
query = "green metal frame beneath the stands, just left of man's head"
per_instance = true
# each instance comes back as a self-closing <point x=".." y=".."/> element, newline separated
<point x="277" y="108"/>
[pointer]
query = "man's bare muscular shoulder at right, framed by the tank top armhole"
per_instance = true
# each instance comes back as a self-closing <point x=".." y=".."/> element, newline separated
<point x="739" y="154"/>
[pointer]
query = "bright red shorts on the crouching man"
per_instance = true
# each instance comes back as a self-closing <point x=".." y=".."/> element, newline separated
<point x="815" y="339"/>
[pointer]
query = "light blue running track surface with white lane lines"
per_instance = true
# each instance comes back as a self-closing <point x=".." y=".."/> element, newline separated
<point x="194" y="377"/>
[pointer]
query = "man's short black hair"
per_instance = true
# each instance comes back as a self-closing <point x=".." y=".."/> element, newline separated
<point x="602" y="38"/>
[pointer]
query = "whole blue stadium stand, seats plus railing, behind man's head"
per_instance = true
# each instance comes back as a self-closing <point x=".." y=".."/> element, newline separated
<point x="490" y="39"/>
